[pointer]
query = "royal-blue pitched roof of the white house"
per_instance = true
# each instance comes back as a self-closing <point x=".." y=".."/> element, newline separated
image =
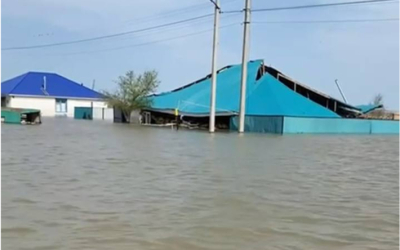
<point x="31" y="84"/>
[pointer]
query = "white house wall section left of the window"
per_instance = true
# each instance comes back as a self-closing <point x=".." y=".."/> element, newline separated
<point x="47" y="106"/>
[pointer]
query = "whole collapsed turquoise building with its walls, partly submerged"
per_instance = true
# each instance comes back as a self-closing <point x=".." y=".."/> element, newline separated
<point x="275" y="103"/>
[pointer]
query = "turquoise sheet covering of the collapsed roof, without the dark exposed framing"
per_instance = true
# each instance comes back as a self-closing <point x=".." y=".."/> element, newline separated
<point x="264" y="96"/>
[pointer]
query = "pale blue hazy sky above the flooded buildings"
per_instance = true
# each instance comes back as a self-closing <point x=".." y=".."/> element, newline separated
<point x="364" y="56"/>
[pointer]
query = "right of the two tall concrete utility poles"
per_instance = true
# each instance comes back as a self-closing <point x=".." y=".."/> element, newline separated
<point x="244" y="65"/>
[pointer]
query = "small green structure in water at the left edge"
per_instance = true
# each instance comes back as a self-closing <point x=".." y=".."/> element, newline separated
<point x="20" y="116"/>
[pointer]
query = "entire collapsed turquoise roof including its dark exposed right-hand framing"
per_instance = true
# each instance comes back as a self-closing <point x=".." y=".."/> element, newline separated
<point x="268" y="93"/>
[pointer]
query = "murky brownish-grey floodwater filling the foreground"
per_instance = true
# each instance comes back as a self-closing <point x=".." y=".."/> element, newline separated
<point x="69" y="184"/>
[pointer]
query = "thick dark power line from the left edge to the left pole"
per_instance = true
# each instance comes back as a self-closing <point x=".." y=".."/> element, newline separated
<point x="106" y="36"/>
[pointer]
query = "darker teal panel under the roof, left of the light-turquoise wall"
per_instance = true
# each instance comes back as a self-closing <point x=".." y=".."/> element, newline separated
<point x="259" y="124"/>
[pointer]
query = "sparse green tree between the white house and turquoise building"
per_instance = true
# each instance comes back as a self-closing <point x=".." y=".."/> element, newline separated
<point x="133" y="91"/>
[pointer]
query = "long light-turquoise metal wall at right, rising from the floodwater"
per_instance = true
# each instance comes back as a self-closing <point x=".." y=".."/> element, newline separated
<point x="307" y="125"/>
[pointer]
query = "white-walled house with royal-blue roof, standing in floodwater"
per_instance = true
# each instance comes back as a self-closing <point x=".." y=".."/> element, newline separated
<point x="51" y="93"/>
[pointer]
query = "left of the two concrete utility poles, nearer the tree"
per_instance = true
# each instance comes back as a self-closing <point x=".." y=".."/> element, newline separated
<point x="214" y="66"/>
